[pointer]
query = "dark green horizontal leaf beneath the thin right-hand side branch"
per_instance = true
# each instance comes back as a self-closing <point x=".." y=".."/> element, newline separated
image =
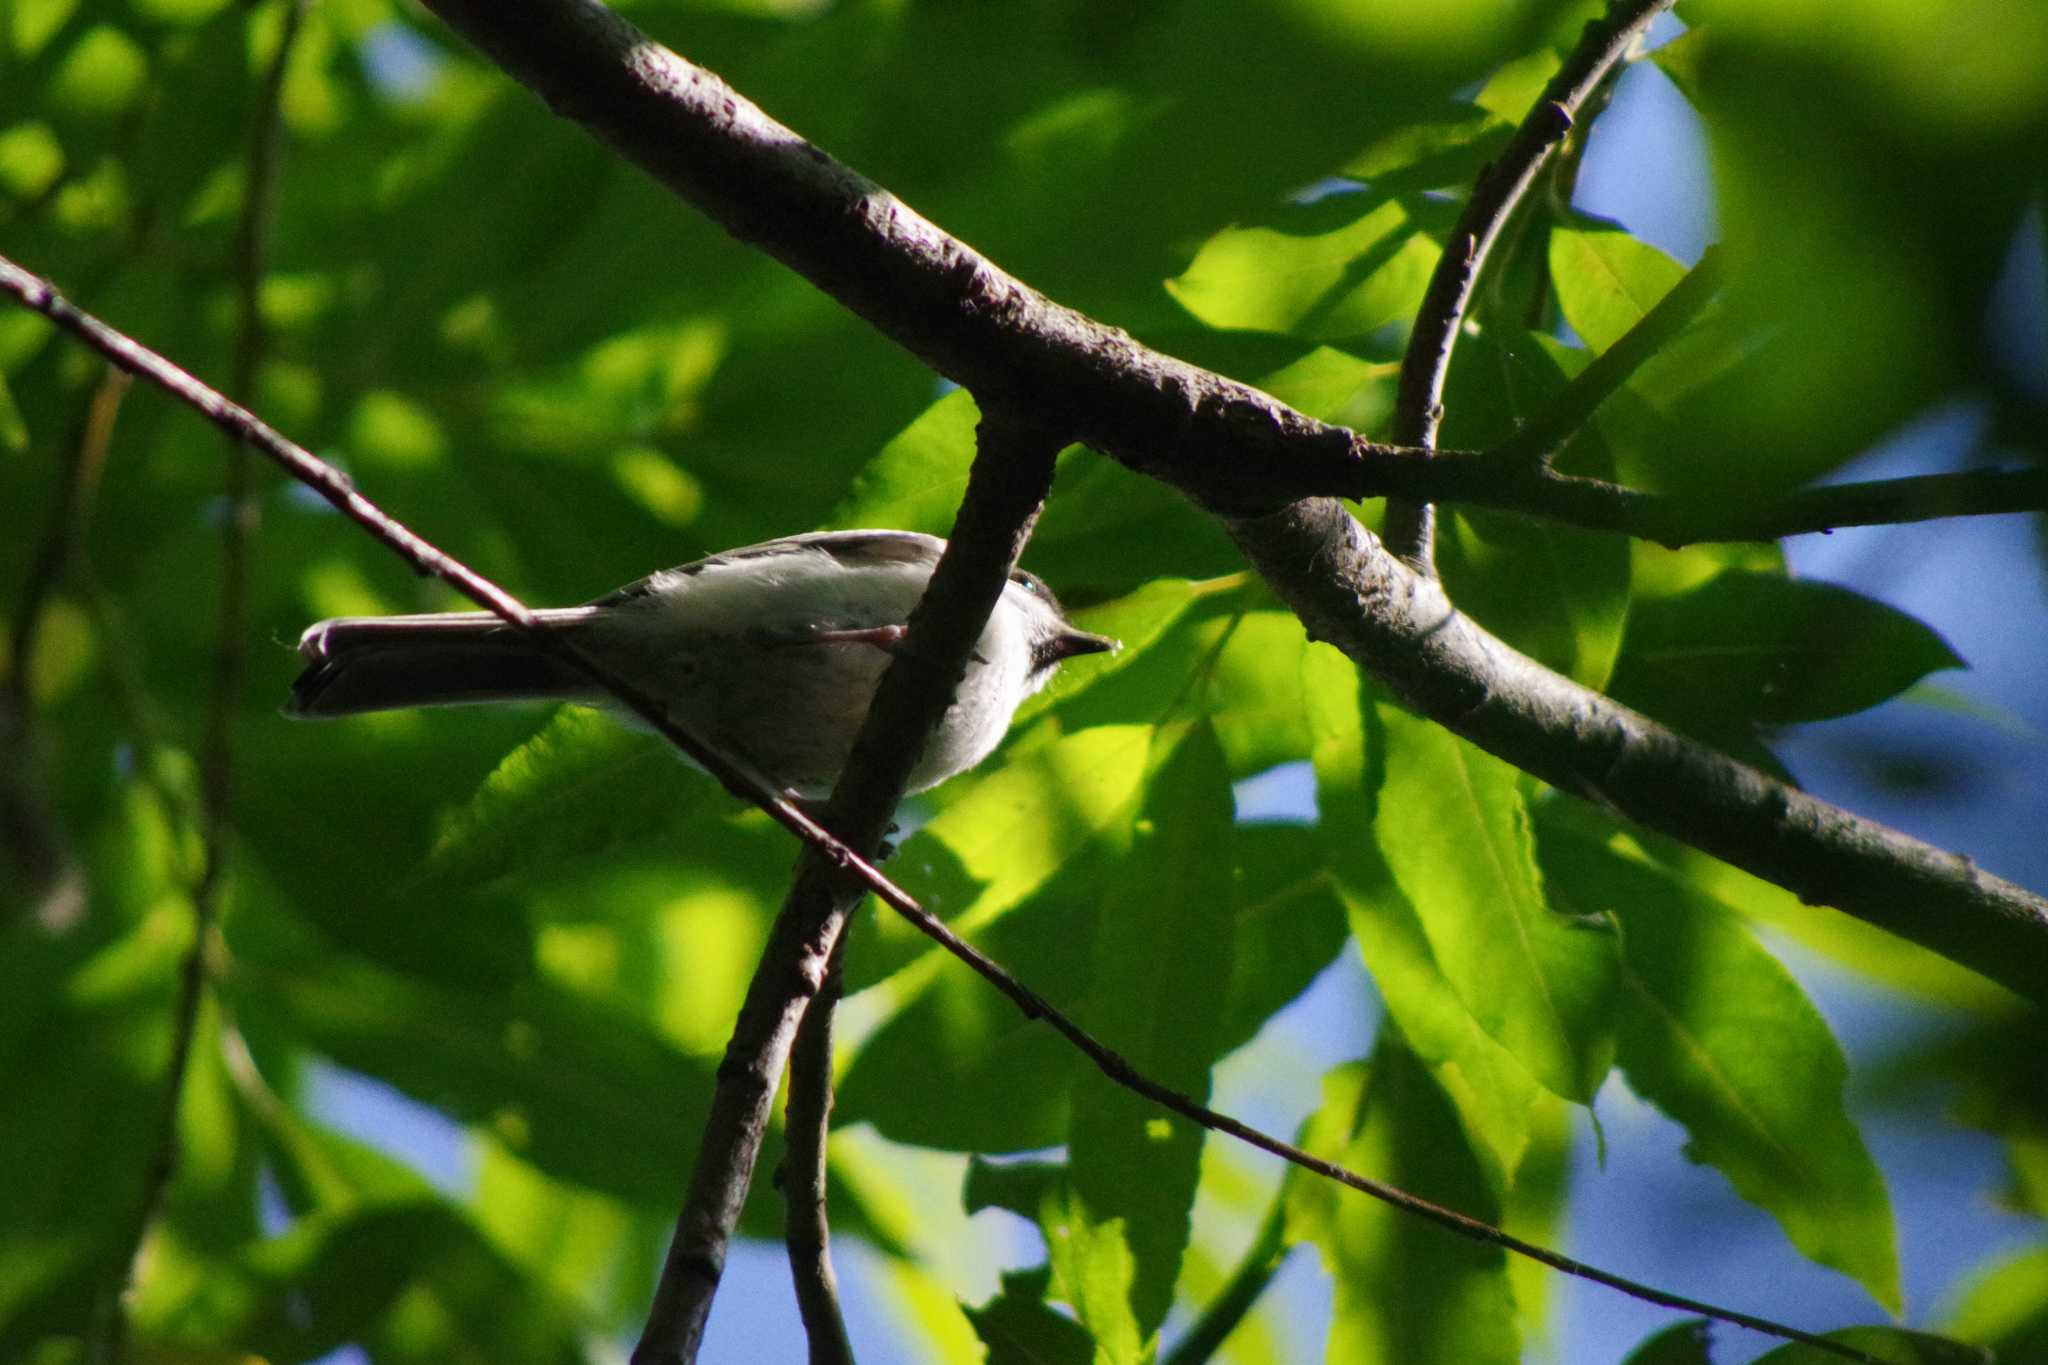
<point x="1756" y="648"/>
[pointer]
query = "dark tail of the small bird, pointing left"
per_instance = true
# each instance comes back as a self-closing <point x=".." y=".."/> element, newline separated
<point x="357" y="664"/>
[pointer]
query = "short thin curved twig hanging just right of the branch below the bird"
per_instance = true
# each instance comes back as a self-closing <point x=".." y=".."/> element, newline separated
<point x="806" y="1125"/>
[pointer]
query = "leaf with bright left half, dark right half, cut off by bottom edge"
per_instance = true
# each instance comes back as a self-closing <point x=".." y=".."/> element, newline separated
<point x="1404" y="1290"/>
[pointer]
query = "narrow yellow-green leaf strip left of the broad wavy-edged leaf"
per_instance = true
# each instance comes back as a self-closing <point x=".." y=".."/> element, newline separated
<point x="1492" y="1090"/>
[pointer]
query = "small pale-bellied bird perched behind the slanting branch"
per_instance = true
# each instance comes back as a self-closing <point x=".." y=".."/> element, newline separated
<point x="769" y="654"/>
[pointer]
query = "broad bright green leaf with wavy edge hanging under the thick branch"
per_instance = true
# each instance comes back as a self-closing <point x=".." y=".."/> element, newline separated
<point x="1453" y="828"/>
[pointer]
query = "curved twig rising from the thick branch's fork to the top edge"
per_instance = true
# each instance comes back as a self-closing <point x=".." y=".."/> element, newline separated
<point x="1420" y="400"/>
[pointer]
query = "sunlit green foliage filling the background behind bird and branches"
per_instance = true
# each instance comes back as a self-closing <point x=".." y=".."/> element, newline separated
<point x="540" y="928"/>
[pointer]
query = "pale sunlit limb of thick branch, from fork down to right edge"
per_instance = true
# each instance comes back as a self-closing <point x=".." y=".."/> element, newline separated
<point x="1402" y="629"/>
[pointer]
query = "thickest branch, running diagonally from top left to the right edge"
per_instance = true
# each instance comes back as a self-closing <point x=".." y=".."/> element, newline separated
<point x="1238" y="449"/>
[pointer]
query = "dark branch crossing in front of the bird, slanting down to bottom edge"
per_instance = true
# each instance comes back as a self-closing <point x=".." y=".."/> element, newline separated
<point x="1005" y="490"/>
